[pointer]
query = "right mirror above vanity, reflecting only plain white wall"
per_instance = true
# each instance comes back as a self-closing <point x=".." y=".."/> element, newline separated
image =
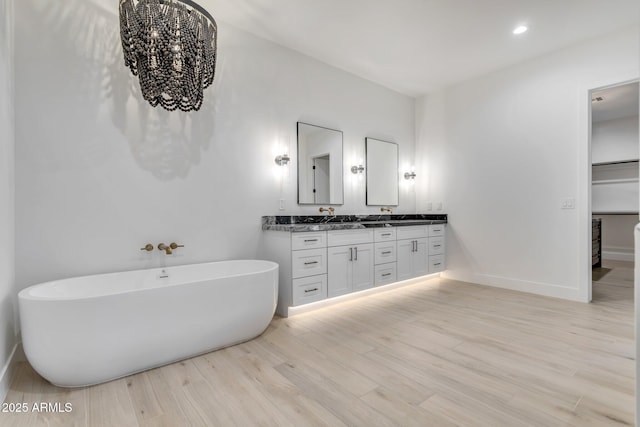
<point x="382" y="172"/>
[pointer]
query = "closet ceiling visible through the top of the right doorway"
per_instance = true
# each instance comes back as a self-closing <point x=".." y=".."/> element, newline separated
<point x="617" y="102"/>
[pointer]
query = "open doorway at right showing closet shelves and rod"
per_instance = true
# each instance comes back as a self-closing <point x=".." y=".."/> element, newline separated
<point x="615" y="189"/>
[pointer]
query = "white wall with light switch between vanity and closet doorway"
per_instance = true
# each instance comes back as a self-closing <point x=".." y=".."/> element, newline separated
<point x="502" y="151"/>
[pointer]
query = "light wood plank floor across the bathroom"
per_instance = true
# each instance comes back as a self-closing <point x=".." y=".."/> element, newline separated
<point x="438" y="353"/>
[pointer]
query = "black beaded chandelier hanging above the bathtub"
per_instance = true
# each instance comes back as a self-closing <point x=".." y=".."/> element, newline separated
<point x="171" y="46"/>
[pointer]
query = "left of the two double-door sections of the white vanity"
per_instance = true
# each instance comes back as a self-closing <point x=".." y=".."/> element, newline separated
<point x="349" y="261"/>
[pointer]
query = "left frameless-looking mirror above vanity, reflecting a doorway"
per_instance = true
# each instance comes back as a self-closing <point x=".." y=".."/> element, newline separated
<point x="319" y="165"/>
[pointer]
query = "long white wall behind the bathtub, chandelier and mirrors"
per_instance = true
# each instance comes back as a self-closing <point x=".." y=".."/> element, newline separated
<point x="100" y="173"/>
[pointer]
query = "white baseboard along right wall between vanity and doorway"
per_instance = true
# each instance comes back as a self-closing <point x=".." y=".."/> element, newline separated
<point x="544" y="289"/>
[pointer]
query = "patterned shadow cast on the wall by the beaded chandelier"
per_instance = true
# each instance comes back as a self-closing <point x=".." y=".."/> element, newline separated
<point x="166" y="144"/>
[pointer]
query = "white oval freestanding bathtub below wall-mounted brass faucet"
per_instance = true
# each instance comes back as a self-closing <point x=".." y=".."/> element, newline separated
<point x="87" y="330"/>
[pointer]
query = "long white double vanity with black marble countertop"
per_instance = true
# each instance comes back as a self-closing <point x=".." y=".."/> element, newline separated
<point x="324" y="257"/>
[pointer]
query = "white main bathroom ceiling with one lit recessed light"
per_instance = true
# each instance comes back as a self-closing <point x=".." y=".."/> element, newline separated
<point x="417" y="46"/>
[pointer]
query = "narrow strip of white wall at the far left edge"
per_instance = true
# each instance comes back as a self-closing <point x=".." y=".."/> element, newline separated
<point x="8" y="320"/>
